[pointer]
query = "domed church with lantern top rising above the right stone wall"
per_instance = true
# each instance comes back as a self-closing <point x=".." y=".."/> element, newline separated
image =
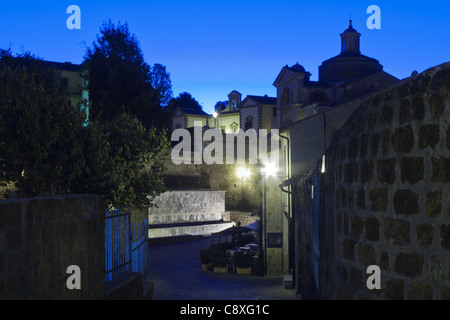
<point x="342" y="78"/>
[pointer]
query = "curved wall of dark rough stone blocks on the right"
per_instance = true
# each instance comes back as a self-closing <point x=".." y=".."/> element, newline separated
<point x="383" y="200"/>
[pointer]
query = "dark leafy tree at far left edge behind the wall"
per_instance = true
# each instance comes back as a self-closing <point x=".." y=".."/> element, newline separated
<point x="40" y="148"/>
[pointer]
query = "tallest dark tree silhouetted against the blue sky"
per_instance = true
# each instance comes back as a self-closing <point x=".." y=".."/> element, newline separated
<point x="121" y="81"/>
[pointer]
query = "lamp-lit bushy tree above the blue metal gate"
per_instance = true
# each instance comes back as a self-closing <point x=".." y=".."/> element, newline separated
<point x="125" y="162"/>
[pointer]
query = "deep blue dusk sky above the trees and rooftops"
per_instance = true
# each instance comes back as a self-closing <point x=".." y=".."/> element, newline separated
<point x="213" y="47"/>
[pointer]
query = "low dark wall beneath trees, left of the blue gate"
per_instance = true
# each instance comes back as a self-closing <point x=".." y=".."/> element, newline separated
<point x="41" y="237"/>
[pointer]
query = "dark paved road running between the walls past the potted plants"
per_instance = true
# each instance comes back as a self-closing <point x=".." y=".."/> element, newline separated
<point x="175" y="270"/>
